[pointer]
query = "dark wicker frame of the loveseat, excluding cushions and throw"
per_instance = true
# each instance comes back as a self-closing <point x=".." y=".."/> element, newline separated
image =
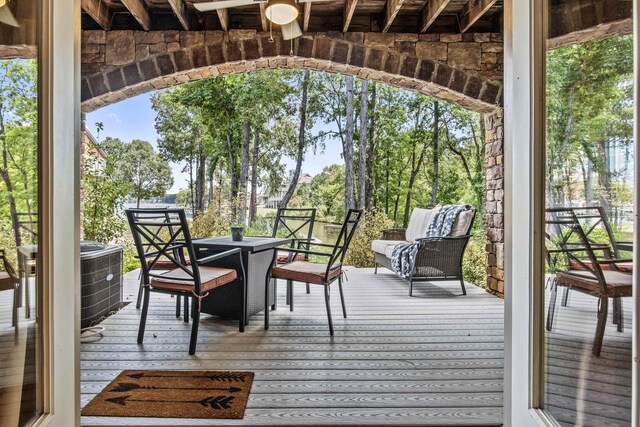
<point x="441" y="257"/>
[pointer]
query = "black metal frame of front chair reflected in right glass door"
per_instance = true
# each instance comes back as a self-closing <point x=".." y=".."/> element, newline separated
<point x="566" y="252"/>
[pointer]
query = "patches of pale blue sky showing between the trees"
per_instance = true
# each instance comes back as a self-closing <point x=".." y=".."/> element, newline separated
<point x="134" y="118"/>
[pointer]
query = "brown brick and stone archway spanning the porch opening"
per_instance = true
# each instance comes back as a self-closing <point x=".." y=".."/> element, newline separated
<point x="121" y="64"/>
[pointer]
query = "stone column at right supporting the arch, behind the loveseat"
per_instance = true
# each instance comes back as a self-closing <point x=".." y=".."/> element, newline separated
<point x="494" y="202"/>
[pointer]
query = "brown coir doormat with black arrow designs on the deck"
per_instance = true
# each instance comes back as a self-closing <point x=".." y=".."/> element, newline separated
<point x="173" y="394"/>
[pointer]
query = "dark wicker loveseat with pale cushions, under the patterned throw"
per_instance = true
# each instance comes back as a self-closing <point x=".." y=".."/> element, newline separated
<point x="438" y="258"/>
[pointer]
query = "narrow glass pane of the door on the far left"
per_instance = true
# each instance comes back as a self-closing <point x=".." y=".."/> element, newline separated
<point x="21" y="394"/>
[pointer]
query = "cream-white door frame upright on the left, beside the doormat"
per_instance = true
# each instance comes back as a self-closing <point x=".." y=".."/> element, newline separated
<point x="59" y="93"/>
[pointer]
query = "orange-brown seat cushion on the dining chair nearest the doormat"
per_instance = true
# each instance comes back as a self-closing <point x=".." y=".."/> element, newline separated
<point x="178" y="280"/>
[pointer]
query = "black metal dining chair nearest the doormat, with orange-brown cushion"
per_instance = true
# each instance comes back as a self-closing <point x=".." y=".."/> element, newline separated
<point x="167" y="237"/>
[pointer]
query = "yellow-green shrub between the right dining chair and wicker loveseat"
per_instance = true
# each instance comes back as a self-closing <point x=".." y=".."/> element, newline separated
<point x="370" y="228"/>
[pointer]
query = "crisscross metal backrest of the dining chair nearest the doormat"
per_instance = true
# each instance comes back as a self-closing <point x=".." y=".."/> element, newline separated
<point x="163" y="234"/>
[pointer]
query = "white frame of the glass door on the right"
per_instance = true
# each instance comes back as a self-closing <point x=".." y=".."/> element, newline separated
<point x="524" y="127"/>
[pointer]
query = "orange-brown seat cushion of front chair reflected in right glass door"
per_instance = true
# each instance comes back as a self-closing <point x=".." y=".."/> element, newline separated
<point x="618" y="284"/>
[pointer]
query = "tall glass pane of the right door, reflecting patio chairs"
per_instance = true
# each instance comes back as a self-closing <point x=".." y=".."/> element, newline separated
<point x="589" y="219"/>
